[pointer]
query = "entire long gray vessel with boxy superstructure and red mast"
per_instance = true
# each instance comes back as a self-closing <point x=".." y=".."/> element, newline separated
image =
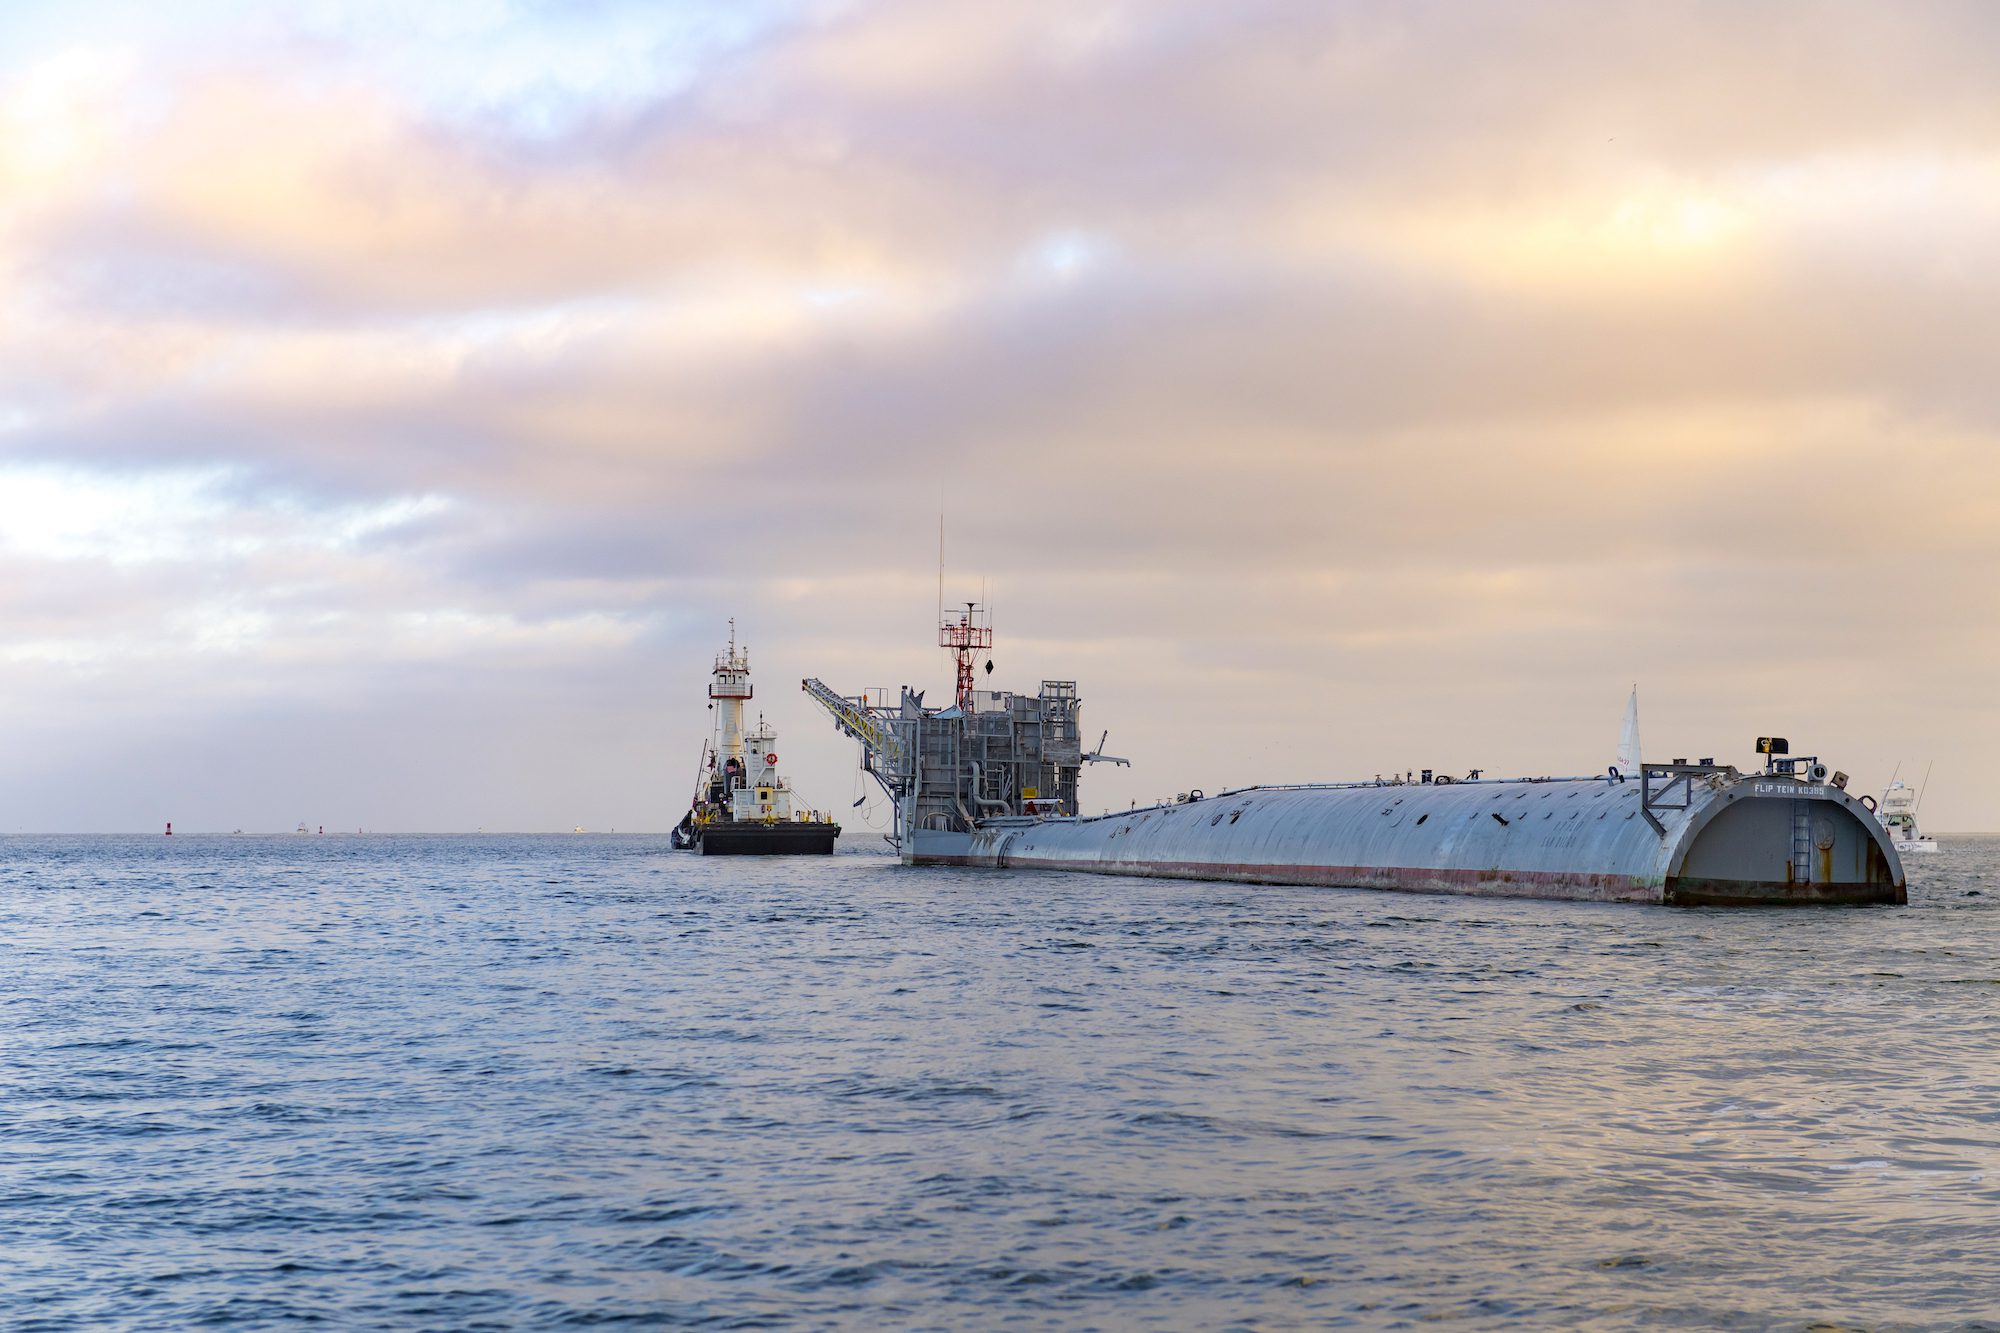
<point x="991" y="782"/>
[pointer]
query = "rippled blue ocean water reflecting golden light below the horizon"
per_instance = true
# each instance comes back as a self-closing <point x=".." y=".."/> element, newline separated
<point x="539" y="1082"/>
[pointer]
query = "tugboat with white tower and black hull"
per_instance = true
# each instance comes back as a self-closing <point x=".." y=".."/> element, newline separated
<point x="743" y="808"/>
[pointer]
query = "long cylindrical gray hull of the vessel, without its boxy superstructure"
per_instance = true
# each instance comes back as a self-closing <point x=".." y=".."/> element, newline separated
<point x="1729" y="842"/>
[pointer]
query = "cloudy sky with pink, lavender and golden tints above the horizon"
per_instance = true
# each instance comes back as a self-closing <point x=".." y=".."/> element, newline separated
<point x="399" y="399"/>
